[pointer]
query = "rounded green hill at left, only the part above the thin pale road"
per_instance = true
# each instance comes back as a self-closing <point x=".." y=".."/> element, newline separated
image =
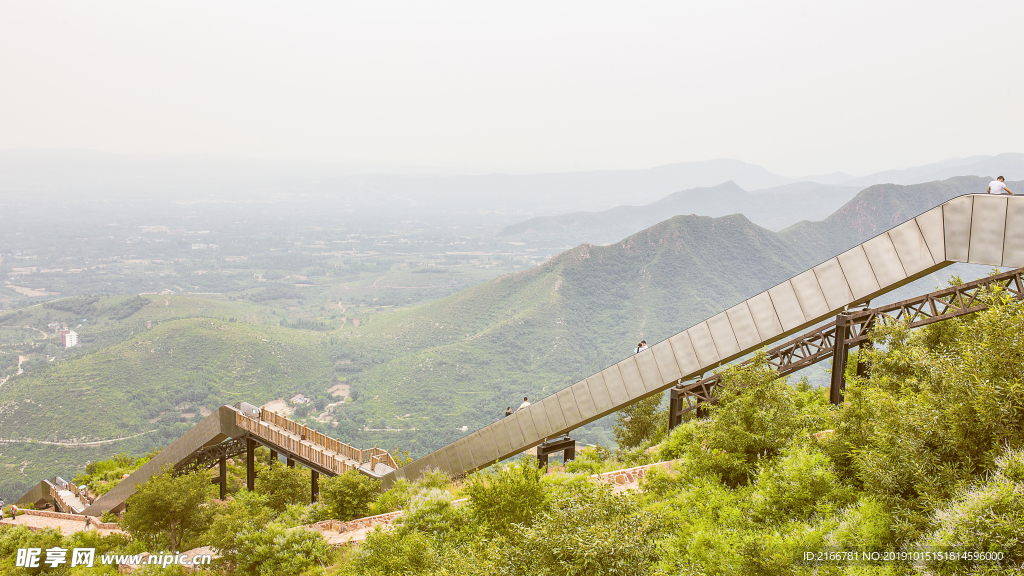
<point x="183" y="363"/>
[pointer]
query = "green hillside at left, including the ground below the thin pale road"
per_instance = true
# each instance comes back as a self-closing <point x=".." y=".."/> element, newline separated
<point x="150" y="384"/>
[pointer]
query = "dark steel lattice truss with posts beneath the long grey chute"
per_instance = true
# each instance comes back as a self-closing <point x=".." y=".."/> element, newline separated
<point x="851" y="330"/>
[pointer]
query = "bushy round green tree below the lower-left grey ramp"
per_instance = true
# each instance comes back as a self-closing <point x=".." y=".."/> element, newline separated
<point x="168" y="509"/>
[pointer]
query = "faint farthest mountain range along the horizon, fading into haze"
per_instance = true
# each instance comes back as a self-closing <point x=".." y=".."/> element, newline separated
<point x="83" y="176"/>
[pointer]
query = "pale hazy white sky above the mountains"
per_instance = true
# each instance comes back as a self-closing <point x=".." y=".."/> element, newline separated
<point x="798" y="87"/>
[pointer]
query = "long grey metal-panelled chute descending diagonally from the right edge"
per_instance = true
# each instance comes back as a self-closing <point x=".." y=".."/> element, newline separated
<point x="977" y="229"/>
